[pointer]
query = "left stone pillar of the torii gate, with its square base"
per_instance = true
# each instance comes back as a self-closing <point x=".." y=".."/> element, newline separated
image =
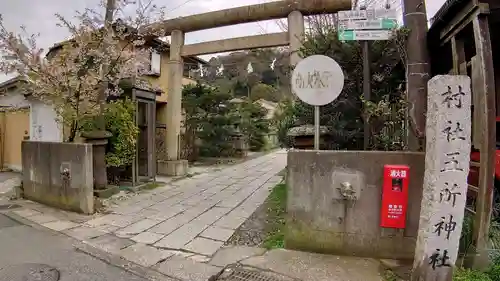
<point x="174" y="166"/>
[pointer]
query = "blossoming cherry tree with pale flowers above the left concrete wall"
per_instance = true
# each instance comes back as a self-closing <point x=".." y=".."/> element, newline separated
<point x="71" y="75"/>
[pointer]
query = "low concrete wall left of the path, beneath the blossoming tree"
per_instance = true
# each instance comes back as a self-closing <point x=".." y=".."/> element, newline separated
<point x="59" y="175"/>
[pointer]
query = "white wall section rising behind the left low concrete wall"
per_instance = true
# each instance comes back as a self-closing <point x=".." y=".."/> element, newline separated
<point x="43" y="124"/>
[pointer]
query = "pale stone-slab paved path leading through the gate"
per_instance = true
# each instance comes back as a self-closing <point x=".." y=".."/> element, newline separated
<point x="181" y="224"/>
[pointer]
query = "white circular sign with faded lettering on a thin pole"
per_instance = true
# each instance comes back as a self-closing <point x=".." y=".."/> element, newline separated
<point x="317" y="80"/>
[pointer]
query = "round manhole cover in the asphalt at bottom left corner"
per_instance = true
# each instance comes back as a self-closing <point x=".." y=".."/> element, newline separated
<point x="29" y="272"/>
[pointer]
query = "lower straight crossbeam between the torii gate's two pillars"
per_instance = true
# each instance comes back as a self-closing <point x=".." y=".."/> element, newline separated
<point x="235" y="44"/>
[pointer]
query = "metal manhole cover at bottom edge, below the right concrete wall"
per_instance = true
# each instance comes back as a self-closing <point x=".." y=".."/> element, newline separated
<point x="250" y="274"/>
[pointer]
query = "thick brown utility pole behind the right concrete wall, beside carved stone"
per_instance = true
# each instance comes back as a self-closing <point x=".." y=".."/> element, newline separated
<point x="417" y="71"/>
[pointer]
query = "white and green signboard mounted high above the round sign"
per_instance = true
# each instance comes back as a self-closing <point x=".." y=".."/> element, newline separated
<point x="373" y="24"/>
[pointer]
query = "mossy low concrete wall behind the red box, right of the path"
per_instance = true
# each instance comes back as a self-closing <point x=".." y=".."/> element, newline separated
<point x="320" y="221"/>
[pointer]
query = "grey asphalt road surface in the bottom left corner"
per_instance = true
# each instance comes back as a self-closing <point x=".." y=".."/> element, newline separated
<point x="21" y="244"/>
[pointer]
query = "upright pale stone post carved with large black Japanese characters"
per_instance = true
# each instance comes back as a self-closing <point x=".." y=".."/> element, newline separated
<point x="448" y="136"/>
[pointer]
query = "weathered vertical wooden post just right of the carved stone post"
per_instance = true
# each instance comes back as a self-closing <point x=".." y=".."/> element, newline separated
<point x="487" y="102"/>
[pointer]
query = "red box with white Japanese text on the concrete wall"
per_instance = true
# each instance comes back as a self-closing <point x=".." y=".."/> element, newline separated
<point x="394" y="196"/>
